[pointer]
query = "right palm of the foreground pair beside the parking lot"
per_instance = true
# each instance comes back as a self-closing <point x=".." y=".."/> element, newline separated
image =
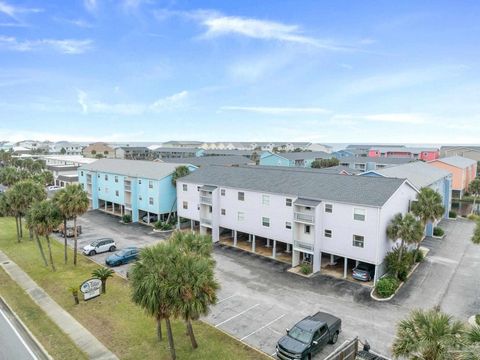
<point x="194" y="290"/>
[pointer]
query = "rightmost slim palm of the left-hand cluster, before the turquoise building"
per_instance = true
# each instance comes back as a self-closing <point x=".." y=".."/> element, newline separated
<point x="76" y="199"/>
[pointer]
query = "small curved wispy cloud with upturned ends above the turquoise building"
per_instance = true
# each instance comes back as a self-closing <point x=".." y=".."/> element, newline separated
<point x="168" y="103"/>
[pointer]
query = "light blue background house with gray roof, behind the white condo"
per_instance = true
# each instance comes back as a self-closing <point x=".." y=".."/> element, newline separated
<point x="292" y="159"/>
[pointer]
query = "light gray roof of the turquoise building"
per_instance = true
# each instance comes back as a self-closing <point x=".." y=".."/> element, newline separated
<point x="134" y="168"/>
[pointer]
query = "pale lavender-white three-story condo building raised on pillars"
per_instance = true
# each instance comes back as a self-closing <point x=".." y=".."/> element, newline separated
<point x="308" y="213"/>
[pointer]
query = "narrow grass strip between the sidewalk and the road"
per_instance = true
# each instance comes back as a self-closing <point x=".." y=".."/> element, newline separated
<point x="54" y="340"/>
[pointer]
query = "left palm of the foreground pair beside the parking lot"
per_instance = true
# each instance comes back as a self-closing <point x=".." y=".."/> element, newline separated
<point x="151" y="277"/>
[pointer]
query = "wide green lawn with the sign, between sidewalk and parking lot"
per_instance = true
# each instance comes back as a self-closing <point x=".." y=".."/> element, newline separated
<point x="113" y="318"/>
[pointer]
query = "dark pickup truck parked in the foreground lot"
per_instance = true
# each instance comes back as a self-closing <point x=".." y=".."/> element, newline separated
<point x="309" y="336"/>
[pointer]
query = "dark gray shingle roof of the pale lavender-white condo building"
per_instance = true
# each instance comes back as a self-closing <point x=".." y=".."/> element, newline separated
<point x="305" y="183"/>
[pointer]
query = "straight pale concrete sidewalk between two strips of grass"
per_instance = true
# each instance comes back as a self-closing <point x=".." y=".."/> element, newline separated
<point x="80" y="336"/>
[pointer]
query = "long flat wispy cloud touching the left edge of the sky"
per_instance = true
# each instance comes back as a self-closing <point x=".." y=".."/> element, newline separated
<point x="65" y="46"/>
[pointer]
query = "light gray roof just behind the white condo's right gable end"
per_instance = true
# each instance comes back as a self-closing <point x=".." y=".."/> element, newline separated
<point x="420" y="174"/>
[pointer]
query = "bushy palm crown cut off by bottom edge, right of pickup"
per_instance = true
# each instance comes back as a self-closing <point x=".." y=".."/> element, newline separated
<point x="428" y="335"/>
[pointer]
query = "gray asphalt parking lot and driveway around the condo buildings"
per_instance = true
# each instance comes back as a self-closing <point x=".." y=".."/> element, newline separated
<point x="258" y="299"/>
